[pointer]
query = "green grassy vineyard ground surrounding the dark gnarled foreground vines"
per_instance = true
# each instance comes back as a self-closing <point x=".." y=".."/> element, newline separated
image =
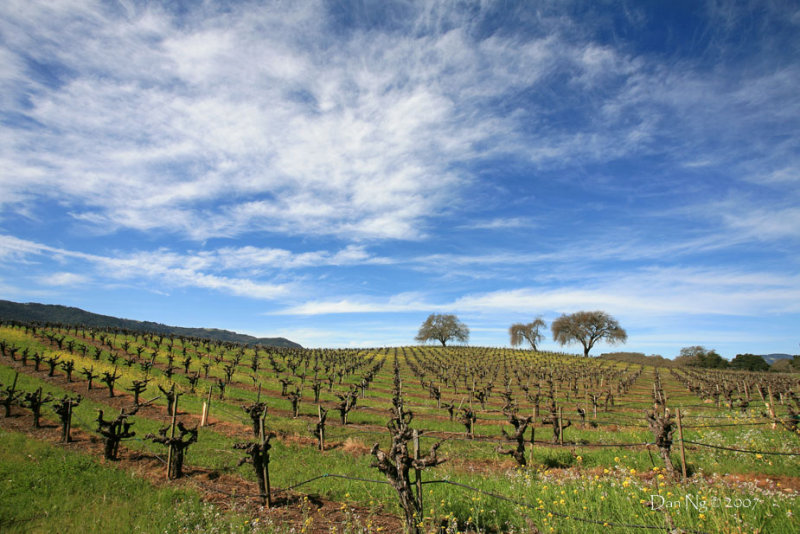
<point x="604" y="478"/>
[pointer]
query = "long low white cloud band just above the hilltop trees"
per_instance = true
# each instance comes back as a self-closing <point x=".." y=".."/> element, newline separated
<point x="648" y="293"/>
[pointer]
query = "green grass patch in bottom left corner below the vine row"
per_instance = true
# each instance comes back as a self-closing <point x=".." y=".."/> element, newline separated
<point x="46" y="489"/>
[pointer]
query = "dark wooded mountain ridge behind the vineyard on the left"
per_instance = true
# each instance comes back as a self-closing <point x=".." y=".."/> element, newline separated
<point x="54" y="313"/>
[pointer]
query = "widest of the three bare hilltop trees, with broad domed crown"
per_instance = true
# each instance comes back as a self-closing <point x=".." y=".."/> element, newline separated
<point x="587" y="328"/>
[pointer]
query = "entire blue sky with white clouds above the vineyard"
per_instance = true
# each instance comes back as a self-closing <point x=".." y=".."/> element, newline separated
<point x="333" y="172"/>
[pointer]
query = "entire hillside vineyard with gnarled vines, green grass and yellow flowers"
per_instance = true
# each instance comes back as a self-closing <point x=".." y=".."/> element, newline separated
<point x="235" y="438"/>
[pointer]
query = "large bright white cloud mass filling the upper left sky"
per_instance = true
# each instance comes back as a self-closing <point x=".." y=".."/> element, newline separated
<point x="353" y="140"/>
